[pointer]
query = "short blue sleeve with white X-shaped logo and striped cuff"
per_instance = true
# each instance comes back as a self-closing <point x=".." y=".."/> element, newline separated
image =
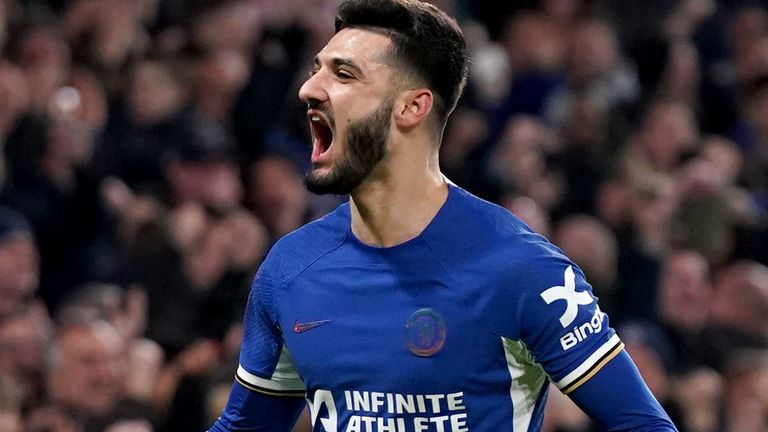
<point x="561" y="323"/>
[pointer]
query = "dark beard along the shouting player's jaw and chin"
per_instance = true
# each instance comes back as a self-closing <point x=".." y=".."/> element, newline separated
<point x="366" y="146"/>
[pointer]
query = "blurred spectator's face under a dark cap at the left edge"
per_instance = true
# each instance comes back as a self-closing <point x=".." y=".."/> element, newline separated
<point x="19" y="271"/>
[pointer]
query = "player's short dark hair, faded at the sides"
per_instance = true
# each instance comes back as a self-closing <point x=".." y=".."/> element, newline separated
<point x="426" y="42"/>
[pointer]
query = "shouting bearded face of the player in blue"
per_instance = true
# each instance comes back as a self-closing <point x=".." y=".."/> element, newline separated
<point x="350" y="107"/>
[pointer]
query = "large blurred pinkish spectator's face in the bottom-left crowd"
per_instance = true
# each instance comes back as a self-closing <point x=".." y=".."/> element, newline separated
<point x="87" y="367"/>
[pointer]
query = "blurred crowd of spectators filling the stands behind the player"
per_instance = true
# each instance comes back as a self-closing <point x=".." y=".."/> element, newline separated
<point x="153" y="150"/>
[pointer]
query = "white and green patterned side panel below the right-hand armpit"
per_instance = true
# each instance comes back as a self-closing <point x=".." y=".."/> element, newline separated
<point x="528" y="381"/>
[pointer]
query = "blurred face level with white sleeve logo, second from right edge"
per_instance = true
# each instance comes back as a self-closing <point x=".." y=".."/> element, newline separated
<point x="684" y="290"/>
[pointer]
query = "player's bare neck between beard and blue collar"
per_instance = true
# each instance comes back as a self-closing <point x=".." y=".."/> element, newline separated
<point x="394" y="209"/>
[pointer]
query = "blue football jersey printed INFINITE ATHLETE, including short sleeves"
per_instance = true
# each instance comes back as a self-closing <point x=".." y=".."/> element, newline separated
<point x="459" y="329"/>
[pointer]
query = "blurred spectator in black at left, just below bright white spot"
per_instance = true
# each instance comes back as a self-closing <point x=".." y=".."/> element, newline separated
<point x="49" y="162"/>
